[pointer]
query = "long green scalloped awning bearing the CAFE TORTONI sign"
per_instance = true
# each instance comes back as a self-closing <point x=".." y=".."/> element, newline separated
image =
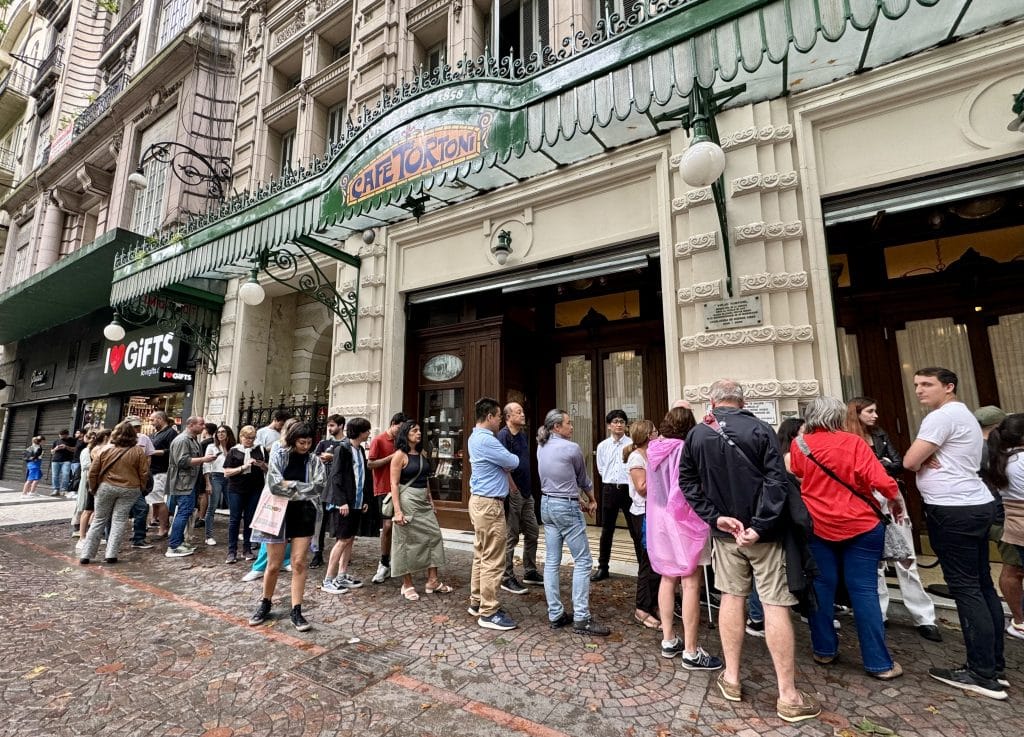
<point x="488" y="124"/>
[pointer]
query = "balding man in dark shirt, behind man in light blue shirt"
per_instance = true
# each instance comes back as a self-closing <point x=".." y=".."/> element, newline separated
<point x="520" y="513"/>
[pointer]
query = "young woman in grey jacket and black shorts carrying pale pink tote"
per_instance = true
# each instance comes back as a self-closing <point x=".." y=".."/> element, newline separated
<point x="296" y="474"/>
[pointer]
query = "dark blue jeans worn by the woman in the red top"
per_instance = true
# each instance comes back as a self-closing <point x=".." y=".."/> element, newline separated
<point x="860" y="557"/>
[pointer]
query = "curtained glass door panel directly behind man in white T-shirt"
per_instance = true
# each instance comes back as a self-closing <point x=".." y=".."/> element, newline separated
<point x="937" y="342"/>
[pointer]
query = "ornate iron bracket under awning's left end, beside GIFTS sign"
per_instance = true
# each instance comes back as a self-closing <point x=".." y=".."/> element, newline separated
<point x="198" y="327"/>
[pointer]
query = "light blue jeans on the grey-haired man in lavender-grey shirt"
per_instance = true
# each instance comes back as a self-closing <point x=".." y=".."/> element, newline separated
<point x="564" y="523"/>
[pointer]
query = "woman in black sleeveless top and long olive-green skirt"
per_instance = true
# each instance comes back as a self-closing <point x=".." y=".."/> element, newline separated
<point x="416" y="544"/>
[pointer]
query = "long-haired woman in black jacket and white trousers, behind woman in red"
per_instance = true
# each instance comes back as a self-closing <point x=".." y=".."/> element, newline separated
<point x="863" y="420"/>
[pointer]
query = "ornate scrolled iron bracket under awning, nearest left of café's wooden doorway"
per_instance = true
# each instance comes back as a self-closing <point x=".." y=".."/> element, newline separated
<point x="283" y="266"/>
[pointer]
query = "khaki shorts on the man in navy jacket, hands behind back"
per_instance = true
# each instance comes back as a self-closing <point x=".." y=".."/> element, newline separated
<point x="737" y="569"/>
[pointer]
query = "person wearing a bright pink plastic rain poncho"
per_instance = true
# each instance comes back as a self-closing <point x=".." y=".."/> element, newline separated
<point x="664" y="496"/>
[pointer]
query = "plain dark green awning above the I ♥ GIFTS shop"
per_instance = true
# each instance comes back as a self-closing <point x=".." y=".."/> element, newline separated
<point x="73" y="287"/>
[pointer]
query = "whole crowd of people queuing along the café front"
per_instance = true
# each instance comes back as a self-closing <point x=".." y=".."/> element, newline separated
<point x="787" y="519"/>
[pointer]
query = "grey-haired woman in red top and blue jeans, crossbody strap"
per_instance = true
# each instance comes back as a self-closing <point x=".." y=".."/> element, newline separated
<point x="847" y="531"/>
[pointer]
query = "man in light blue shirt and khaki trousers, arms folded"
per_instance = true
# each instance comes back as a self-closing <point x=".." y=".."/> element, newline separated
<point x="489" y="486"/>
